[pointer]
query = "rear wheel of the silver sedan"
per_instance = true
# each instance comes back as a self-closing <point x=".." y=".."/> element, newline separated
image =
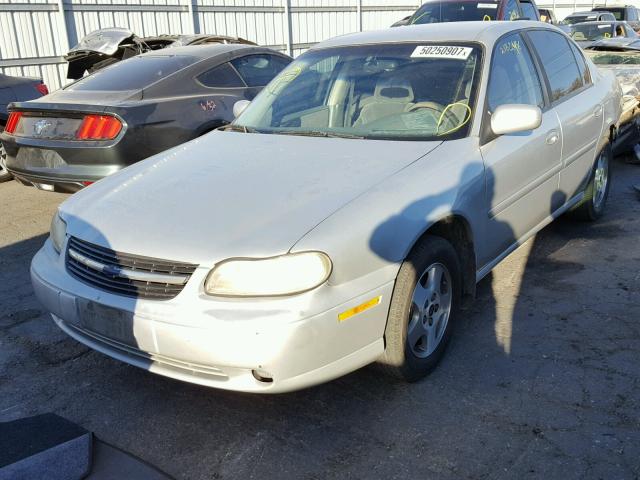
<point x="594" y="202"/>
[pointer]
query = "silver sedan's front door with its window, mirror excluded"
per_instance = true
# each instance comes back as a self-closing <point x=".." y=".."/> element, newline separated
<point x="521" y="169"/>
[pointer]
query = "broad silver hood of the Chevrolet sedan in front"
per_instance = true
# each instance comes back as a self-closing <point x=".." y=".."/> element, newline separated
<point x="232" y="194"/>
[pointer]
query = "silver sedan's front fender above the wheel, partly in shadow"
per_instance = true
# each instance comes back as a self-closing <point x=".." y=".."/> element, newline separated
<point x="373" y="234"/>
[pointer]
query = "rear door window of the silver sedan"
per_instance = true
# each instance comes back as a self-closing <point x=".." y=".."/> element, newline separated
<point x="558" y="62"/>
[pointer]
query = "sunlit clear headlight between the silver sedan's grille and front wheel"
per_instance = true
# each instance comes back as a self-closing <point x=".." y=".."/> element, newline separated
<point x="284" y="275"/>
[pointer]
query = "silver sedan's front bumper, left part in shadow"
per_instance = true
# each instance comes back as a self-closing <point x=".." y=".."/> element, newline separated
<point x="298" y="341"/>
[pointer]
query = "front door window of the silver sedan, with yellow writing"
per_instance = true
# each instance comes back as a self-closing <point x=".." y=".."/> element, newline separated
<point x="513" y="76"/>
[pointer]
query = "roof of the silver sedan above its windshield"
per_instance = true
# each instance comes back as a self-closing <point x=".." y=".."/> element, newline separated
<point x="484" y="32"/>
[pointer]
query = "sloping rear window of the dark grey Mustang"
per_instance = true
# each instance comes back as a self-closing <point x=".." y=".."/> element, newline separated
<point x="134" y="73"/>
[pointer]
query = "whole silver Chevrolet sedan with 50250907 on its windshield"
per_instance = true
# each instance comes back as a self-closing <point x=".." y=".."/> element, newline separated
<point x="344" y="216"/>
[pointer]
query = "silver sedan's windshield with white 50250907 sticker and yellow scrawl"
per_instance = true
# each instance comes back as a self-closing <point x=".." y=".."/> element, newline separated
<point x="393" y="91"/>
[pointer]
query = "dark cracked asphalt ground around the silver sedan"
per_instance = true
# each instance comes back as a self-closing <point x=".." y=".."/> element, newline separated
<point x="541" y="381"/>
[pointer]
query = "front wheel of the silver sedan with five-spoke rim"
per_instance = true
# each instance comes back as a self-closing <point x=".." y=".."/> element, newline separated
<point x="416" y="337"/>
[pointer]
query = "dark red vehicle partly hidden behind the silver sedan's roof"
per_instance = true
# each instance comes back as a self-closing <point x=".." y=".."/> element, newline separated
<point x="437" y="11"/>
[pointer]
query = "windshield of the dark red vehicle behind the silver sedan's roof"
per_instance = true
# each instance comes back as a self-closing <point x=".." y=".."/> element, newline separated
<point x="435" y="12"/>
